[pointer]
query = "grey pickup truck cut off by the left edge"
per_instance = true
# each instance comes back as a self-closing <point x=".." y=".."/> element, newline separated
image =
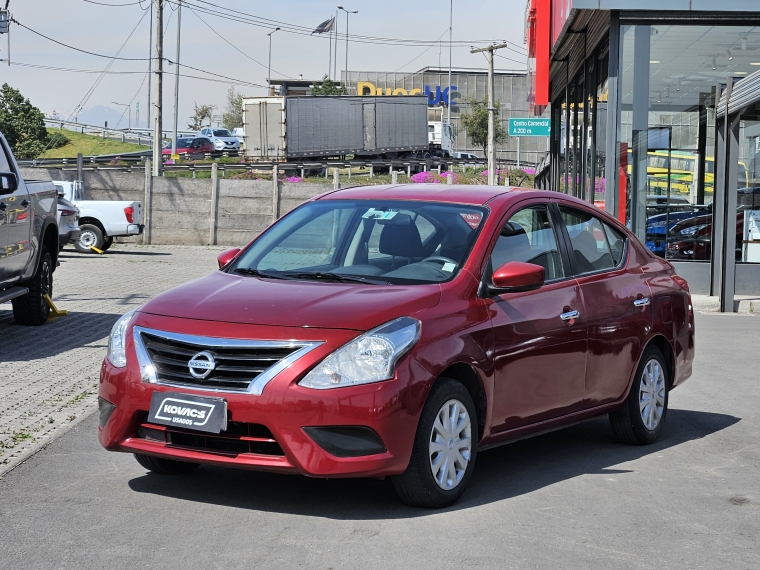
<point x="28" y="241"/>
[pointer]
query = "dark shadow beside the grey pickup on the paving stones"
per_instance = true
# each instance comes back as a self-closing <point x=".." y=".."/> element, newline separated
<point x="77" y="329"/>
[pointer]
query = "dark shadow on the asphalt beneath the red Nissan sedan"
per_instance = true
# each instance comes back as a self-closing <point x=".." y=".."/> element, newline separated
<point x="501" y="473"/>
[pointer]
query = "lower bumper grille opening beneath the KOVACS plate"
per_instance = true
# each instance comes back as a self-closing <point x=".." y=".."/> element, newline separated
<point x="237" y="439"/>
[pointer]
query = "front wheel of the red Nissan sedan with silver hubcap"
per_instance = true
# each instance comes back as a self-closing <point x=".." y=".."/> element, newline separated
<point x="445" y="448"/>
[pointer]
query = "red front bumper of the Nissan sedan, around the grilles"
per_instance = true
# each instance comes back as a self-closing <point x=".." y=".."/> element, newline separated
<point x="390" y="409"/>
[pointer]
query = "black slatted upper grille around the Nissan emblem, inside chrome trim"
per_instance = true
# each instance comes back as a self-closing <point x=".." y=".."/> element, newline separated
<point x="235" y="366"/>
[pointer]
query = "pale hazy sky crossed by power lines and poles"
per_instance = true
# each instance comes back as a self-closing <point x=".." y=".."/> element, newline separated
<point x="103" y="29"/>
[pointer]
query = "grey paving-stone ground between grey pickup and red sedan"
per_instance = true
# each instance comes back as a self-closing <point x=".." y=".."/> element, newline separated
<point x="49" y="374"/>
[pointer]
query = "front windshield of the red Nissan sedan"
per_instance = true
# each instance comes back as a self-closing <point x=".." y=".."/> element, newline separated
<point x="378" y="241"/>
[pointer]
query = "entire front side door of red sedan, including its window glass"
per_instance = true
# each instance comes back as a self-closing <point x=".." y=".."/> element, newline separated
<point x="540" y="358"/>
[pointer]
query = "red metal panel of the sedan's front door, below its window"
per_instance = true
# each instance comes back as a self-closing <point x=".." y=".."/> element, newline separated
<point x="540" y="359"/>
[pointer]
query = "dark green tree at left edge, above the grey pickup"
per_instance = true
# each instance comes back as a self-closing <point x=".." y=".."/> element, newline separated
<point x="22" y="123"/>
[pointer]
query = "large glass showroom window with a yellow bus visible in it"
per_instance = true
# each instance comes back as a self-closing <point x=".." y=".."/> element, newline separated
<point x="667" y="99"/>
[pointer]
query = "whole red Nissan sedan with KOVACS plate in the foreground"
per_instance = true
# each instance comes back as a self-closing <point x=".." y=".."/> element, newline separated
<point x="394" y="331"/>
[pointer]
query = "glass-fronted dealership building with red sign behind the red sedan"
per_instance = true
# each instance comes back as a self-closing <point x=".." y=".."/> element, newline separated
<point x="655" y="117"/>
